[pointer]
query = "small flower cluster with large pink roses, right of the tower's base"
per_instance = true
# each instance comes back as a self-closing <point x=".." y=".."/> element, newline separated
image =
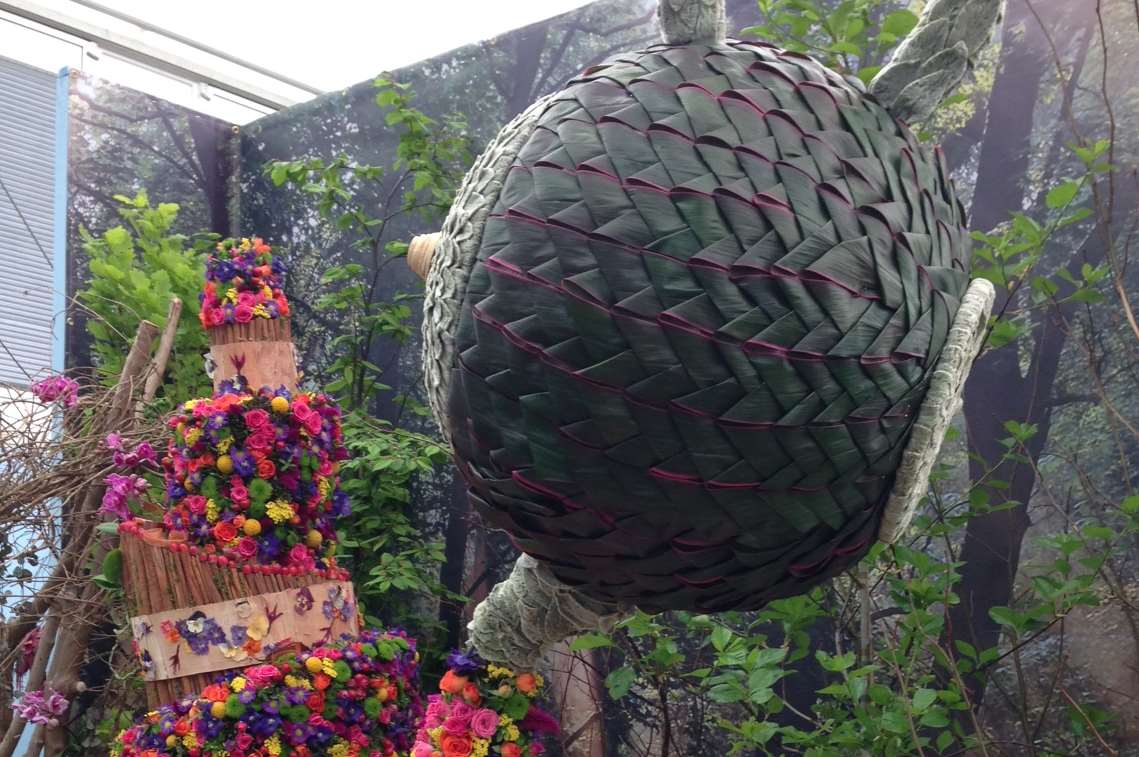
<point x="484" y="710"/>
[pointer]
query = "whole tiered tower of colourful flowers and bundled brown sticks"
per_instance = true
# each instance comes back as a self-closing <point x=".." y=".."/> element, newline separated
<point x="247" y="630"/>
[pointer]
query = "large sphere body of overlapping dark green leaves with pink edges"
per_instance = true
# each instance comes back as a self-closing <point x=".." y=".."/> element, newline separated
<point x="700" y="327"/>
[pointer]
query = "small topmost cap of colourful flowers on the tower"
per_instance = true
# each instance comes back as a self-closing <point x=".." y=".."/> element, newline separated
<point x="243" y="283"/>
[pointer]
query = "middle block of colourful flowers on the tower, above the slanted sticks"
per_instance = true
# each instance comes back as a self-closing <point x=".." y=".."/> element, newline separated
<point x="255" y="478"/>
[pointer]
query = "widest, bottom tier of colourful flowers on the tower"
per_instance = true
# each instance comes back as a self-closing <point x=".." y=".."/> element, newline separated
<point x="346" y="700"/>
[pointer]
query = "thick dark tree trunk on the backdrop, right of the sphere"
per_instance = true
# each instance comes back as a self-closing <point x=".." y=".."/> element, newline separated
<point x="993" y="541"/>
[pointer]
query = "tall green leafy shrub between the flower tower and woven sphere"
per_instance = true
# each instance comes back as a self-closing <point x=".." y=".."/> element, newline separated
<point x="391" y="559"/>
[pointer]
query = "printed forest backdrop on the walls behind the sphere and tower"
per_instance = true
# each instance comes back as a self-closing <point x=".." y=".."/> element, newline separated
<point x="1059" y="380"/>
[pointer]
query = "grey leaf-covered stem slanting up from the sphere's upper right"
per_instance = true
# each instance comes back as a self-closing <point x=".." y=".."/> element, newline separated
<point x="935" y="59"/>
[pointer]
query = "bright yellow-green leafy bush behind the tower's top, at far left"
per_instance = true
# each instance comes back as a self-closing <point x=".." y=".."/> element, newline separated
<point x="136" y="269"/>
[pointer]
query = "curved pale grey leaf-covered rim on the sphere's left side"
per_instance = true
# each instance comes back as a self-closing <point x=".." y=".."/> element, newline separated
<point x="455" y="252"/>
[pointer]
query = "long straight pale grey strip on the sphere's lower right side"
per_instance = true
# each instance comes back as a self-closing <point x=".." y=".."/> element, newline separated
<point x="941" y="404"/>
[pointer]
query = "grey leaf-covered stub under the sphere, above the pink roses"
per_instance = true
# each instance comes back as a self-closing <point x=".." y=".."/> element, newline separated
<point x="531" y="612"/>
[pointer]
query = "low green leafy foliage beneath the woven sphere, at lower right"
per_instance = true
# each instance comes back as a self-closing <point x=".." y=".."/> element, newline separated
<point x="903" y="694"/>
